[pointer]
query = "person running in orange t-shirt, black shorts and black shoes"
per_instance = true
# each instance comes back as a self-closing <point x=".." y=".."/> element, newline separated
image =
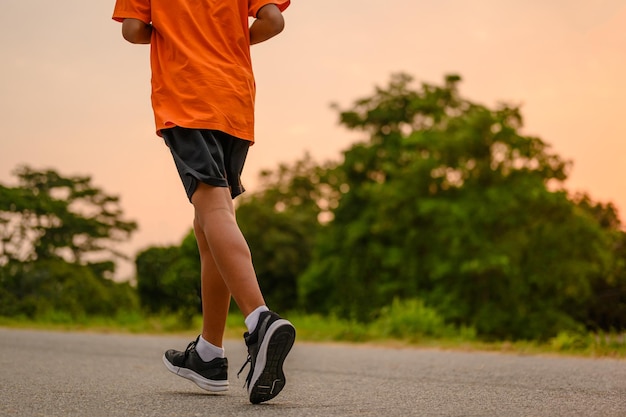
<point x="203" y="91"/>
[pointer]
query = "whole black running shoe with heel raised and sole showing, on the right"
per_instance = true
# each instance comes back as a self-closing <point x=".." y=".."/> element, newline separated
<point x="268" y="346"/>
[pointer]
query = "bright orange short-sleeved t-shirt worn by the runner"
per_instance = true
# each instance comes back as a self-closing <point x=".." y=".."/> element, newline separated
<point x="200" y="58"/>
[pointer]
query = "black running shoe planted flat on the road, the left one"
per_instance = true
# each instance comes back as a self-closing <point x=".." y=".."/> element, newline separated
<point x="211" y="376"/>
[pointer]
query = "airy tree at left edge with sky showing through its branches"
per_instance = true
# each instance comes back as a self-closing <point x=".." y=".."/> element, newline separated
<point x="48" y="216"/>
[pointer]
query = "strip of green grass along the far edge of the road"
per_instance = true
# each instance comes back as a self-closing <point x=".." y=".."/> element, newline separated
<point x="315" y="328"/>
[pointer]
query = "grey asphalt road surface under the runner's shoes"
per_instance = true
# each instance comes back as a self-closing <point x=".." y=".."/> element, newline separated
<point x="84" y="374"/>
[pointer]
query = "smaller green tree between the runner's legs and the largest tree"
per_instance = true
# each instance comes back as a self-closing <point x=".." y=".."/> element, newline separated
<point x="280" y="223"/>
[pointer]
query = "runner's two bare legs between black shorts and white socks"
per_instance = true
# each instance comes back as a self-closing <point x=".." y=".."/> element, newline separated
<point x="226" y="261"/>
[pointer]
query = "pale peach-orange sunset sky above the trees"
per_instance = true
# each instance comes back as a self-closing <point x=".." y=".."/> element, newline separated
<point x="74" y="96"/>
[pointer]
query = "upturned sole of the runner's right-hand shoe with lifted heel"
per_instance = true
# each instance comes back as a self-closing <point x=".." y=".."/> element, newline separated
<point x="268" y="378"/>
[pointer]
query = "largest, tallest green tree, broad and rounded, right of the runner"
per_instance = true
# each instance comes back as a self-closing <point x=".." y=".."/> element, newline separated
<point x="449" y="203"/>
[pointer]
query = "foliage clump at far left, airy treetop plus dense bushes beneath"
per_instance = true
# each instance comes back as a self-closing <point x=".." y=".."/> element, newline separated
<point x="57" y="247"/>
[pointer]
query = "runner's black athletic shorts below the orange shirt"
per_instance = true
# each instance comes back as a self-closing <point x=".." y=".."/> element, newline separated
<point x="209" y="156"/>
